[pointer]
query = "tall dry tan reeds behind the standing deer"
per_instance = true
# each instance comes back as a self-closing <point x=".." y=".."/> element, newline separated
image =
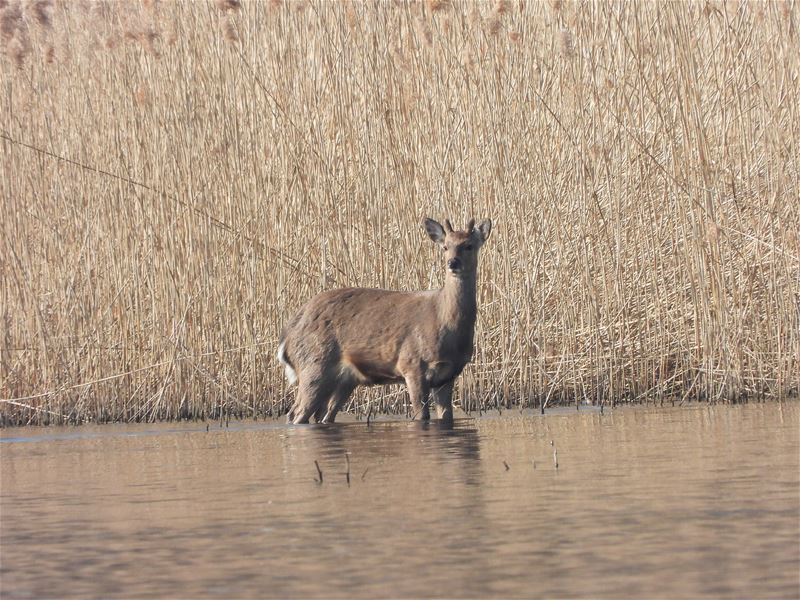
<point x="178" y="178"/>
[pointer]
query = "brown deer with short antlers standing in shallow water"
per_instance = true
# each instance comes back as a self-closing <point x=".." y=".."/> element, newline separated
<point x="347" y="337"/>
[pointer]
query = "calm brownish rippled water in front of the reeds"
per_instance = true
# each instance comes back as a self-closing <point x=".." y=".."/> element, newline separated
<point x="657" y="503"/>
